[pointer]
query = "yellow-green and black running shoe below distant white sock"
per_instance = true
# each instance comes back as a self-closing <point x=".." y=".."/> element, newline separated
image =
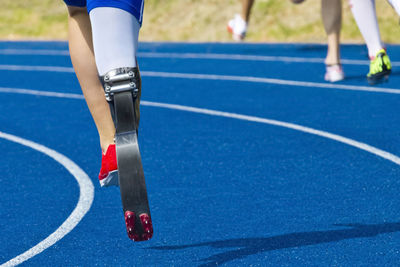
<point x="379" y="68"/>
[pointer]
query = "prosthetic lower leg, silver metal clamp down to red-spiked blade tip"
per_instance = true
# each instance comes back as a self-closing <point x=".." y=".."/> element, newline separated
<point x="122" y="89"/>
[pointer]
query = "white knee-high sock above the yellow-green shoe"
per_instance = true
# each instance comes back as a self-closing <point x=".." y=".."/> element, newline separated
<point x="365" y="15"/>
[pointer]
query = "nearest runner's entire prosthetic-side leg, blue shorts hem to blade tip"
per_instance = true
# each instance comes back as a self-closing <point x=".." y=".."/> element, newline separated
<point x="115" y="27"/>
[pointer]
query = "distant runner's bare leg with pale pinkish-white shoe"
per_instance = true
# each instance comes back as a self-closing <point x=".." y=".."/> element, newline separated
<point x="331" y="11"/>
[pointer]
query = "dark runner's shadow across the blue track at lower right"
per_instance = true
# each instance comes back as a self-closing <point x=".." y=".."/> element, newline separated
<point x="251" y="246"/>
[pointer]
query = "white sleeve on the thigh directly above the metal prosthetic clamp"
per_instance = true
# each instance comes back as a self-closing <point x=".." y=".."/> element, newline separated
<point x="115" y="38"/>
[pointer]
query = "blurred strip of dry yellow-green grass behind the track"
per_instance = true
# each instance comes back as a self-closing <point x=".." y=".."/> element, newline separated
<point x="199" y="21"/>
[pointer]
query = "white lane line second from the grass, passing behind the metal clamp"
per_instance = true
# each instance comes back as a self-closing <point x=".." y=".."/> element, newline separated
<point x="221" y="78"/>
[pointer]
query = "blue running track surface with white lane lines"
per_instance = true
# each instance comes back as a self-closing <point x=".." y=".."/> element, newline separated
<point x="250" y="158"/>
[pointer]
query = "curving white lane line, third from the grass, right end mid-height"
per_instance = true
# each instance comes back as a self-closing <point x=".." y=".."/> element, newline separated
<point x="365" y="147"/>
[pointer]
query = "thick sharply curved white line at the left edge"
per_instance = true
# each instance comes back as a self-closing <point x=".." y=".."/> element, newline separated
<point x="86" y="195"/>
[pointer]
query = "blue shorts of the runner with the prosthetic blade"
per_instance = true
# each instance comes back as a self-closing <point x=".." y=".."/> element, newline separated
<point x="135" y="7"/>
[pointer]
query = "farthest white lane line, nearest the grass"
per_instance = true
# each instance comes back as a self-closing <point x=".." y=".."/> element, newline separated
<point x="217" y="56"/>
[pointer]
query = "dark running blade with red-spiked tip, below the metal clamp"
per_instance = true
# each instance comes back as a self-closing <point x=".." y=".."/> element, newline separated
<point x="130" y="171"/>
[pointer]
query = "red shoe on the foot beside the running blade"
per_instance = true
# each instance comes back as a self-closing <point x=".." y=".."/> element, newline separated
<point x="108" y="175"/>
